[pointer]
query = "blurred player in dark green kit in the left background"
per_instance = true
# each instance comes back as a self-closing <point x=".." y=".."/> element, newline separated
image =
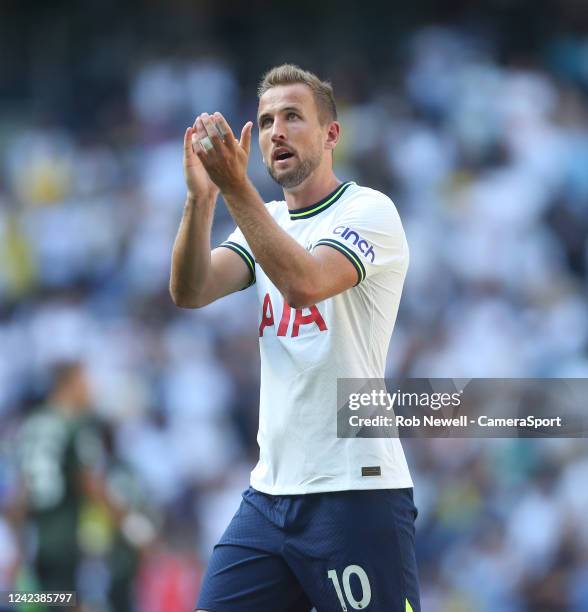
<point x="59" y="448"/>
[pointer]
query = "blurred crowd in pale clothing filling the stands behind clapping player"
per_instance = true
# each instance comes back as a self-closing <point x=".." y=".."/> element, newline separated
<point x="487" y="162"/>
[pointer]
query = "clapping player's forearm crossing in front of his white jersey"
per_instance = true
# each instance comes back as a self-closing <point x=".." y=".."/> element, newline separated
<point x="290" y="267"/>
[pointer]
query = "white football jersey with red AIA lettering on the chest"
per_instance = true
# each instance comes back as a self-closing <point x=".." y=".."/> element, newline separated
<point x="304" y="351"/>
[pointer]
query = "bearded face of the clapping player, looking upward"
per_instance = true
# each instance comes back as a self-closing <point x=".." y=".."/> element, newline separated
<point x="291" y="137"/>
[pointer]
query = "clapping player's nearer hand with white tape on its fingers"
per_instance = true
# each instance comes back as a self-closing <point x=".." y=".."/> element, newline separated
<point x="222" y="155"/>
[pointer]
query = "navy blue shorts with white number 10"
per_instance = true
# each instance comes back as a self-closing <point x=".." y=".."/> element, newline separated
<point x="347" y="550"/>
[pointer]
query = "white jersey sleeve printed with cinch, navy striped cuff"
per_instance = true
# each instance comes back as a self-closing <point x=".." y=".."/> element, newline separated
<point x="368" y="231"/>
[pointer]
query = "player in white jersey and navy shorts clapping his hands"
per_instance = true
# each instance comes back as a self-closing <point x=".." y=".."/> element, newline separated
<point x="327" y="522"/>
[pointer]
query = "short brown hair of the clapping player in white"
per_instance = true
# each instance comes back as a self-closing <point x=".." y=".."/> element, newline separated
<point x="290" y="74"/>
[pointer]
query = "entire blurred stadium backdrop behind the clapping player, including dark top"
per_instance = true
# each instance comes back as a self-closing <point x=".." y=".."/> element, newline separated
<point x="471" y="115"/>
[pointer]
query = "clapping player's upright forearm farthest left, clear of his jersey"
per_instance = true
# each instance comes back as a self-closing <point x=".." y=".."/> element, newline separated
<point x="190" y="268"/>
